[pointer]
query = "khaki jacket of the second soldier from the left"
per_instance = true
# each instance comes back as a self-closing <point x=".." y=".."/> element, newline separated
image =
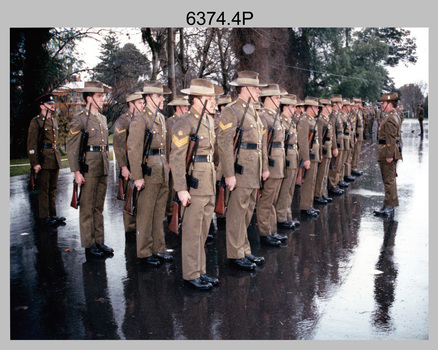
<point x="98" y="162"/>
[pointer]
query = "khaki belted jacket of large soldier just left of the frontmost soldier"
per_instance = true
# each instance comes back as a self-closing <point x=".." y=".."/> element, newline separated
<point x="158" y="162"/>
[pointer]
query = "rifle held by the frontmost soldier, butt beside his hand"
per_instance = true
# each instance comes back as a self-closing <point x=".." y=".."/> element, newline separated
<point x="176" y="221"/>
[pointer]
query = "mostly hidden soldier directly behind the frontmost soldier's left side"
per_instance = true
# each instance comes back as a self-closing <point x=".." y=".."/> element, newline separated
<point x="180" y="105"/>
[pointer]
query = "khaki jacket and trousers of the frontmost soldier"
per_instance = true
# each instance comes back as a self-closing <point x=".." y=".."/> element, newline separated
<point x="197" y="216"/>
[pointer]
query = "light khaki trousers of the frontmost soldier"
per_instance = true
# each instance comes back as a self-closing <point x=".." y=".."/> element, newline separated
<point x="194" y="232"/>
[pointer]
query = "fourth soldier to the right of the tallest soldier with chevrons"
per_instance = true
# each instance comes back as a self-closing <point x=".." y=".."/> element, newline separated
<point x="329" y="148"/>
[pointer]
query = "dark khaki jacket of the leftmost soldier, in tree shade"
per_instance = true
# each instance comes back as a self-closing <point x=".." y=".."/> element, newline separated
<point x="48" y="158"/>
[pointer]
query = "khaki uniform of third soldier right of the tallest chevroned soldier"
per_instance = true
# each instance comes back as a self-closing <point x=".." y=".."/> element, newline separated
<point x="306" y="124"/>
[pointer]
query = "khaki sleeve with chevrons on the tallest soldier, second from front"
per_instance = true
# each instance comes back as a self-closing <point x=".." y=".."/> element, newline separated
<point x="225" y="138"/>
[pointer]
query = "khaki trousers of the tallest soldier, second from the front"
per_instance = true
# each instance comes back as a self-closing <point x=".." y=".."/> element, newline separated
<point x="238" y="217"/>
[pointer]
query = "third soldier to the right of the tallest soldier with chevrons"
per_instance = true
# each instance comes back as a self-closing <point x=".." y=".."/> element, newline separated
<point x="309" y="155"/>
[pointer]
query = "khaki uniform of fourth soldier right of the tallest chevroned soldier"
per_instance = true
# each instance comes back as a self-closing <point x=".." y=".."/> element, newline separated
<point x="326" y="141"/>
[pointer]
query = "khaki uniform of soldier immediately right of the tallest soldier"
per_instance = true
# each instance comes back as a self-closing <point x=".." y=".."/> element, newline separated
<point x="266" y="213"/>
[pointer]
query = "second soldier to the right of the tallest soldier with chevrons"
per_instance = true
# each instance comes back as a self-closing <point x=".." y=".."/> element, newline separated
<point x="283" y="206"/>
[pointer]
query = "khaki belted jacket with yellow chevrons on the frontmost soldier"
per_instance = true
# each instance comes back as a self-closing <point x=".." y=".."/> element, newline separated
<point x="203" y="171"/>
